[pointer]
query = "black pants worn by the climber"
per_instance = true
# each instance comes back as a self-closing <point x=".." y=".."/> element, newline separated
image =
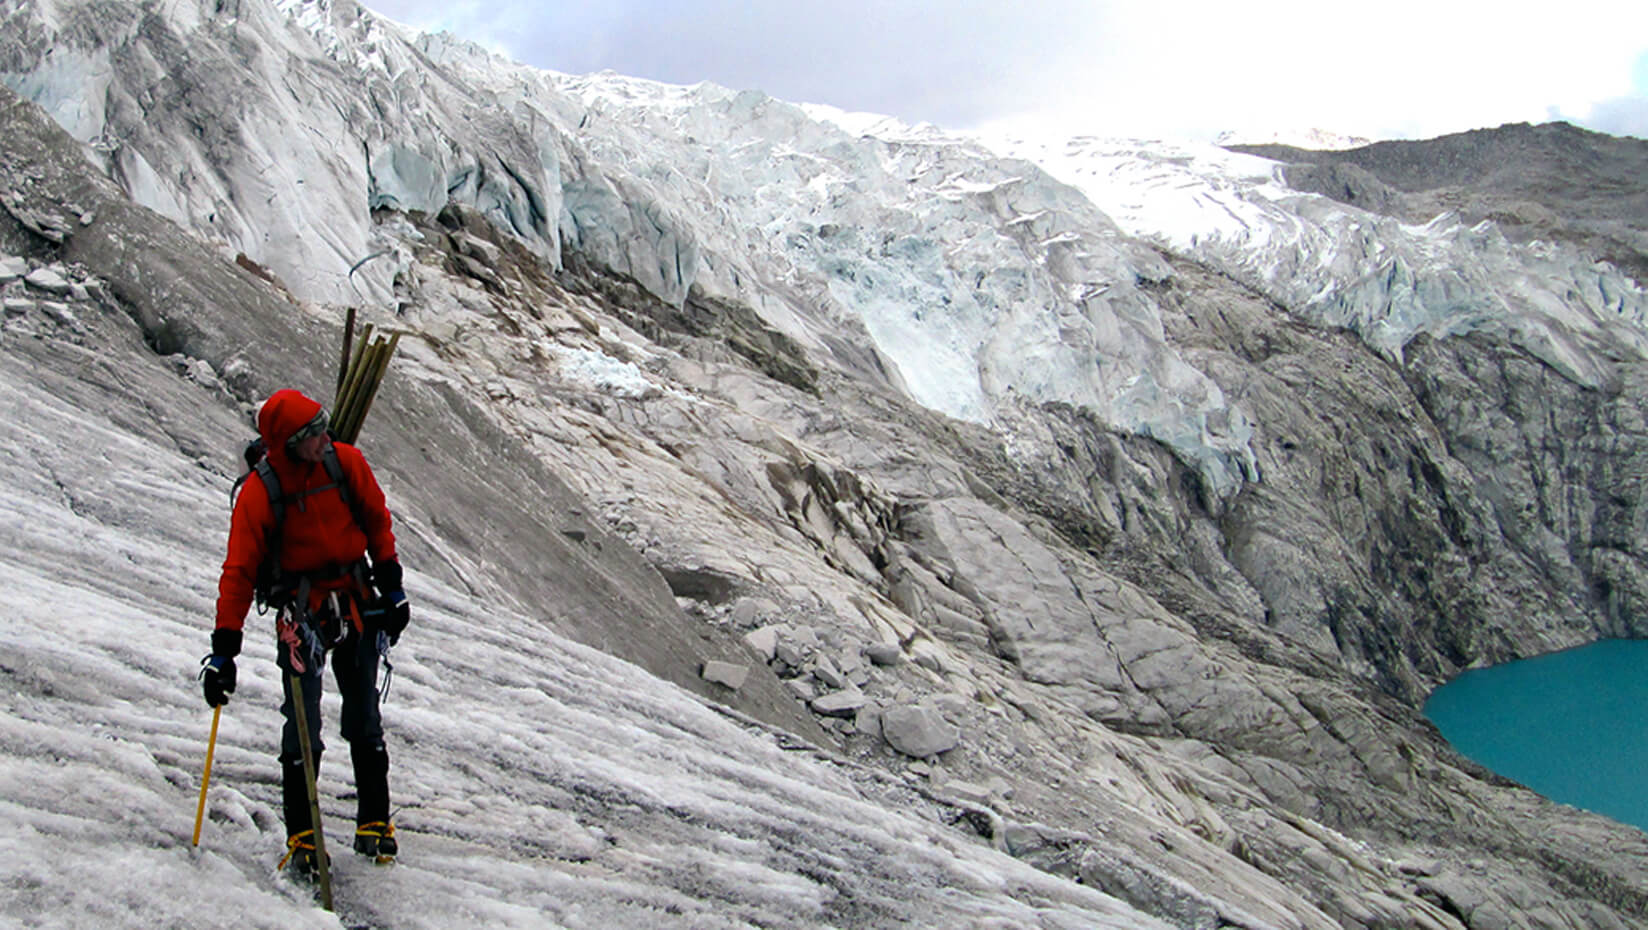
<point x="355" y="667"/>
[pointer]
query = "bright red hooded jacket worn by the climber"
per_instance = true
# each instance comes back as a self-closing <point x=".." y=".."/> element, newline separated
<point x="319" y="530"/>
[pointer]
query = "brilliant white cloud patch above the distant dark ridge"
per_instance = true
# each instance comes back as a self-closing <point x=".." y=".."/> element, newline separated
<point x="1402" y="68"/>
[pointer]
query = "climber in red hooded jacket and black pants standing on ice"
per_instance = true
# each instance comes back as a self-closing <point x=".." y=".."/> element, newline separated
<point x="304" y="525"/>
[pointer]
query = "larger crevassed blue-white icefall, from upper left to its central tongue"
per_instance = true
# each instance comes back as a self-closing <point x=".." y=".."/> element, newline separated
<point x="978" y="283"/>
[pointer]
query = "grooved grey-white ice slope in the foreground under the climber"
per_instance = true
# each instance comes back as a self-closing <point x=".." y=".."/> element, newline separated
<point x="538" y="782"/>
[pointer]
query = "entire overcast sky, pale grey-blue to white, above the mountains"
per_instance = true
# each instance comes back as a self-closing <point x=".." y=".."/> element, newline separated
<point x="1382" y="70"/>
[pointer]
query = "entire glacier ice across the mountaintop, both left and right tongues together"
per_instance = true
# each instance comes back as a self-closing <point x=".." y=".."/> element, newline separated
<point x="986" y="273"/>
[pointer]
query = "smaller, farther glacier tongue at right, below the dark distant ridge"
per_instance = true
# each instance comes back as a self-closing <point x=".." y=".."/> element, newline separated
<point x="1359" y="270"/>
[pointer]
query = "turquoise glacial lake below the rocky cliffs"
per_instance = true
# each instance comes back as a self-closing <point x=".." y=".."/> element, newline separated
<point x="1571" y="726"/>
